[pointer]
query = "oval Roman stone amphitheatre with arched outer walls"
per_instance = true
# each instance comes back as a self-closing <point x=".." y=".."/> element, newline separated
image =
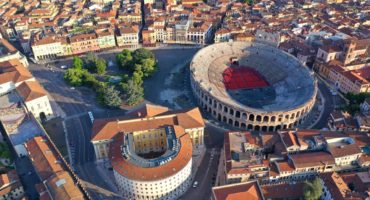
<point x="252" y="86"/>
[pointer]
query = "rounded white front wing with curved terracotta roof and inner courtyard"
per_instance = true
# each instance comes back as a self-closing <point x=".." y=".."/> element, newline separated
<point x="165" y="176"/>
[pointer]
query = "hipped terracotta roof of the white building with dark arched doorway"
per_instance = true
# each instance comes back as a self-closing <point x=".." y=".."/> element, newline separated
<point x="31" y="90"/>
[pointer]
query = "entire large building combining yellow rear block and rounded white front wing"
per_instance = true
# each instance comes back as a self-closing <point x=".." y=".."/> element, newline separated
<point x="173" y="135"/>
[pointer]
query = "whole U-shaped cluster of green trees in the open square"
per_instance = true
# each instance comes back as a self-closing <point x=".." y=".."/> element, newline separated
<point x="138" y="64"/>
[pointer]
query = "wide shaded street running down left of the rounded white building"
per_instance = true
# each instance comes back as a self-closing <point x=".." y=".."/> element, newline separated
<point x="75" y="105"/>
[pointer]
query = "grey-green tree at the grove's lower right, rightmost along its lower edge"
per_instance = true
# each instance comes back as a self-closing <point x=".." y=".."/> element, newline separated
<point x="133" y="92"/>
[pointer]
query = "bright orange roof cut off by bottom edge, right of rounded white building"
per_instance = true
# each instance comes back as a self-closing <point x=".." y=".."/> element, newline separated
<point x="248" y="190"/>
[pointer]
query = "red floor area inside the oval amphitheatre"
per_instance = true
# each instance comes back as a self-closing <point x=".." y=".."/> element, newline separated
<point x="236" y="78"/>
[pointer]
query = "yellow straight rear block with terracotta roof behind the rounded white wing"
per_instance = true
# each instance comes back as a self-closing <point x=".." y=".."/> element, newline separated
<point x="147" y="127"/>
